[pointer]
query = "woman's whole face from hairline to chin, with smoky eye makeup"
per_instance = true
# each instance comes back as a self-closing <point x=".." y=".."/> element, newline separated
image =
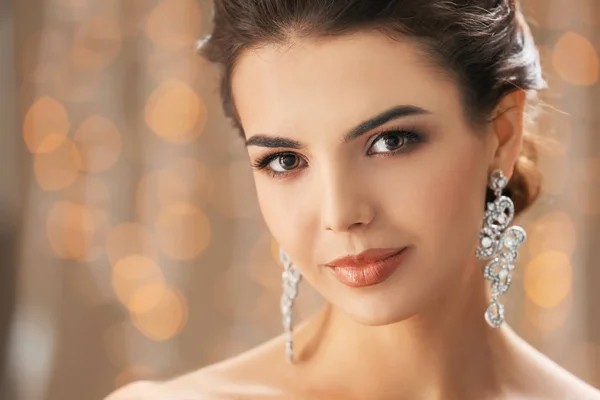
<point x="357" y="144"/>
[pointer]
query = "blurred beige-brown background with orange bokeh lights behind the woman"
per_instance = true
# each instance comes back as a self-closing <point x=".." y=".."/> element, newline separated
<point x="131" y="244"/>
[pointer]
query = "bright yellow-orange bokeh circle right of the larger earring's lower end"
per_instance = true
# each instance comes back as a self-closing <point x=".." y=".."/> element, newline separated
<point x="547" y="278"/>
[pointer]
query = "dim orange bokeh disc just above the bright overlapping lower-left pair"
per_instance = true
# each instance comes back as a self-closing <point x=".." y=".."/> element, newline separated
<point x="129" y="239"/>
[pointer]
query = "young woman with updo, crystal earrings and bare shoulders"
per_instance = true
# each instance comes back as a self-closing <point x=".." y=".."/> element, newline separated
<point x="390" y="156"/>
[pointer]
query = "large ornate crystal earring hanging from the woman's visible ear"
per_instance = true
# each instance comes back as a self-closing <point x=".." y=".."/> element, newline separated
<point x="499" y="244"/>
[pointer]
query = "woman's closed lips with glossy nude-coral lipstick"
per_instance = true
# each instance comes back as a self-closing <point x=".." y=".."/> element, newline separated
<point x="367" y="268"/>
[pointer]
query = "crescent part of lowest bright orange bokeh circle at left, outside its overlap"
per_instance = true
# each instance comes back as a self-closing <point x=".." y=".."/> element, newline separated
<point x="166" y="319"/>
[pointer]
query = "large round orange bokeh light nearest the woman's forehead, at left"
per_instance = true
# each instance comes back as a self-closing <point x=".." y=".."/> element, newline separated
<point x="175" y="112"/>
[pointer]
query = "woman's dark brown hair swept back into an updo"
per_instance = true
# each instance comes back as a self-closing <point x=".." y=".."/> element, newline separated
<point x="484" y="45"/>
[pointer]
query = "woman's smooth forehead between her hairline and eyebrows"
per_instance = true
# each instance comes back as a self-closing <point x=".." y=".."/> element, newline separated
<point x="343" y="78"/>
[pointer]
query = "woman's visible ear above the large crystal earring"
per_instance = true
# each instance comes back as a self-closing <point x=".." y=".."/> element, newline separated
<point x="507" y="126"/>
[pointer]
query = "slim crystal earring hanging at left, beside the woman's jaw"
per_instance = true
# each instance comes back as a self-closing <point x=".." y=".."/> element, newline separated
<point x="291" y="278"/>
